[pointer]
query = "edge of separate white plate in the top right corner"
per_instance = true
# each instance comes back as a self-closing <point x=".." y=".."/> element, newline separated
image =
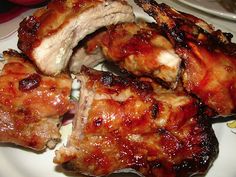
<point x="212" y="7"/>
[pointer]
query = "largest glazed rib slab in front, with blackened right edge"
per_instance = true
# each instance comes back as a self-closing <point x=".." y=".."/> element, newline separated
<point x="123" y="123"/>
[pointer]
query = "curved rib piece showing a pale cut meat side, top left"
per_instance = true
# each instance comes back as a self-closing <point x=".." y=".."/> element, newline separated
<point x="49" y="36"/>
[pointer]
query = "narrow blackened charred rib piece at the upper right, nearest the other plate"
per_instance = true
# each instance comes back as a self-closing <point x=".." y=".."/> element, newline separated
<point x="168" y="17"/>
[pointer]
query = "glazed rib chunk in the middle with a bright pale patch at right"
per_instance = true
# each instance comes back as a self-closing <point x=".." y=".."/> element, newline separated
<point x="140" y="49"/>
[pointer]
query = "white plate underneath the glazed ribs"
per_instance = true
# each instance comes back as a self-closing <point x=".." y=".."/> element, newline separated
<point x="17" y="162"/>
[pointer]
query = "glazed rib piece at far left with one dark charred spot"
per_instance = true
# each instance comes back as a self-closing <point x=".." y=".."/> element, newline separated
<point x="31" y="103"/>
